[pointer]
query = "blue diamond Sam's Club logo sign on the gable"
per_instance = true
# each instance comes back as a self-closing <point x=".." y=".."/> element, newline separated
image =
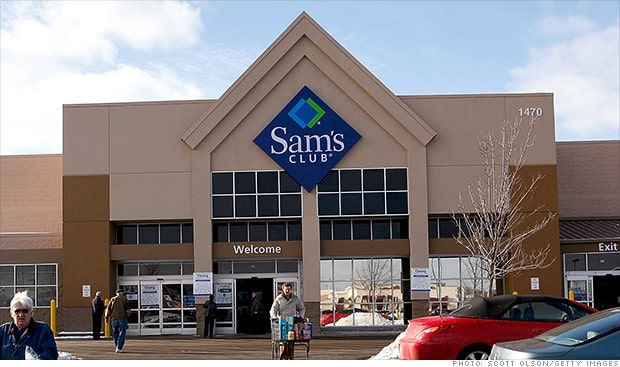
<point x="307" y="138"/>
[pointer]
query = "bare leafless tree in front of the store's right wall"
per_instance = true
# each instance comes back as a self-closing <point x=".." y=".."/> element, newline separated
<point x="496" y="229"/>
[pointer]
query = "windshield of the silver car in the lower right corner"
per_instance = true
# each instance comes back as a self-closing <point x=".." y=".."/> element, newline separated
<point x="584" y="329"/>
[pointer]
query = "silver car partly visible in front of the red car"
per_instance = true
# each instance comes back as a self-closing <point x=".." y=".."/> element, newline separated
<point x="596" y="336"/>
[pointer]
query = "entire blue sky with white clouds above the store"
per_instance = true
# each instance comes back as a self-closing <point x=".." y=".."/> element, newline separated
<point x="65" y="52"/>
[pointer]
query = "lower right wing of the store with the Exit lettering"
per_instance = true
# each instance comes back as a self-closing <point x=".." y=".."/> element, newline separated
<point x="589" y="220"/>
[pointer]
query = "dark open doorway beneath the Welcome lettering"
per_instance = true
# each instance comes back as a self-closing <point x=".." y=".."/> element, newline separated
<point x="254" y="297"/>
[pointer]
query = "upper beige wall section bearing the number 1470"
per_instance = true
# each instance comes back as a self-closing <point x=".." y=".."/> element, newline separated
<point x="460" y="121"/>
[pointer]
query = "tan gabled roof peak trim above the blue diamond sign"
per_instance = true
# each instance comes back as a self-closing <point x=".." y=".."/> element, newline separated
<point x="271" y="62"/>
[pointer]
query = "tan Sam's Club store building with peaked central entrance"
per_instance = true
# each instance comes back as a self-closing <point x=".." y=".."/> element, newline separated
<point x="307" y="170"/>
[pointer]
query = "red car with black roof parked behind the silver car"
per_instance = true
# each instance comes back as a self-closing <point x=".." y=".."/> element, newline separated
<point x="470" y="331"/>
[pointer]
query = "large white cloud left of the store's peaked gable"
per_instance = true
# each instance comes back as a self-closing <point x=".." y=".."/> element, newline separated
<point x="55" y="53"/>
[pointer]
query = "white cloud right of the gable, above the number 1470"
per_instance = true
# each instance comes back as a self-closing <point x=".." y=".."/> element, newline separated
<point x="584" y="75"/>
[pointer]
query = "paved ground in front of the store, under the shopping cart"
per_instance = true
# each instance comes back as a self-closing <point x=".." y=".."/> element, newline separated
<point x="223" y="348"/>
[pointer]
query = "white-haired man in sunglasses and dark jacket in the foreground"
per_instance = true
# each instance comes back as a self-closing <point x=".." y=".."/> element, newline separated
<point x="24" y="335"/>
